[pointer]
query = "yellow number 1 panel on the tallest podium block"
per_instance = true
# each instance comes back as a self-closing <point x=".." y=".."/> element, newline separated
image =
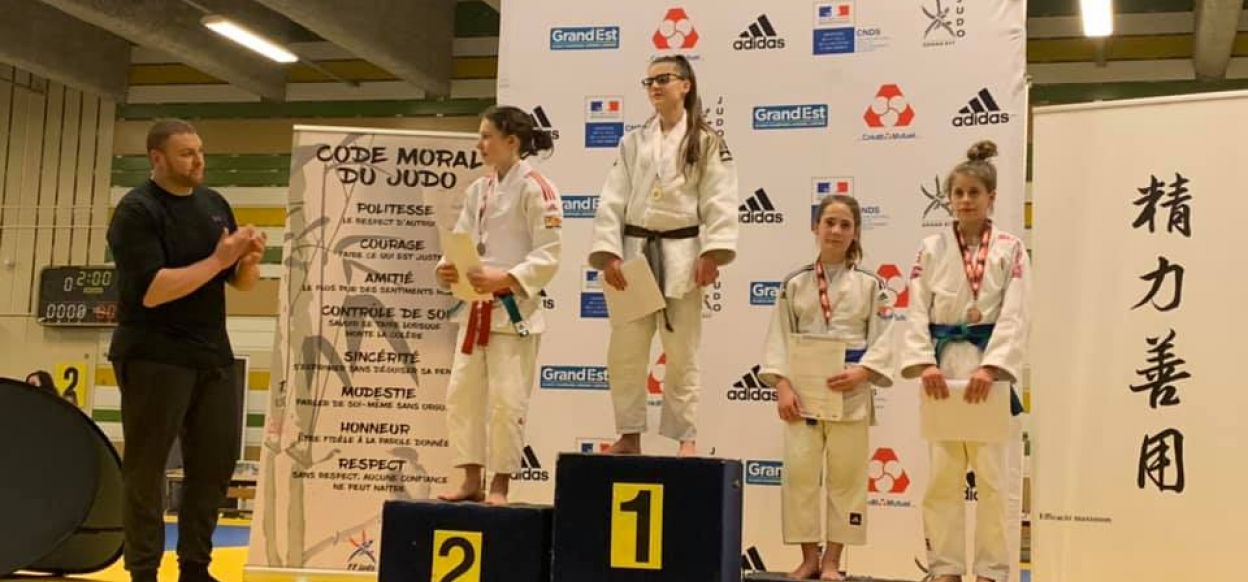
<point x="637" y="526"/>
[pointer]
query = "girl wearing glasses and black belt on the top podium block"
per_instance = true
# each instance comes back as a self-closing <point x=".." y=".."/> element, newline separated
<point x="672" y="199"/>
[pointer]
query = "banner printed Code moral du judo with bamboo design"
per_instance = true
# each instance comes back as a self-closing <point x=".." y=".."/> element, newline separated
<point x="363" y="353"/>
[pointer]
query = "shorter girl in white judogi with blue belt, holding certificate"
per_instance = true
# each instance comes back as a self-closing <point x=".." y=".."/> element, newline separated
<point x="829" y="298"/>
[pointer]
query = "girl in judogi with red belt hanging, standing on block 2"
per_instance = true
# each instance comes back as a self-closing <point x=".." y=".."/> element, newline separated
<point x="515" y="214"/>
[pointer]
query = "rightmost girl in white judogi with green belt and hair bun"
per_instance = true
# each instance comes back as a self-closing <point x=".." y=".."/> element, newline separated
<point x="968" y="320"/>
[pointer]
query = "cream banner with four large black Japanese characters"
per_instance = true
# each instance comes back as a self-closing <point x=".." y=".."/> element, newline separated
<point x="1136" y="360"/>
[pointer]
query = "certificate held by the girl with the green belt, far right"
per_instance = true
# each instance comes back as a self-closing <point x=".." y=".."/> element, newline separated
<point x="954" y="419"/>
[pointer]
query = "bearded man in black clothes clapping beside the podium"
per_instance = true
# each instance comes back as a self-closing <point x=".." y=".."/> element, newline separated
<point x="177" y="245"/>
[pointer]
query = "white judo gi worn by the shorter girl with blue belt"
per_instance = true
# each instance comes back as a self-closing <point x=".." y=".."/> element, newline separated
<point x="831" y="453"/>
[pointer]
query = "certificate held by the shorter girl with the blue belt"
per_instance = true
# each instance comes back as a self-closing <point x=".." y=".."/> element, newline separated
<point x="813" y="359"/>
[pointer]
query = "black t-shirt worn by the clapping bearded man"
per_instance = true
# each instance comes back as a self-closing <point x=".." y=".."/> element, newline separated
<point x="153" y="229"/>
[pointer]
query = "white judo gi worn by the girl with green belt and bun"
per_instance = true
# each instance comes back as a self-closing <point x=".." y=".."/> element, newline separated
<point x="940" y="294"/>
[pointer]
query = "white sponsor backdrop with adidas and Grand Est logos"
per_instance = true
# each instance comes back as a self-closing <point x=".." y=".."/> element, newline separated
<point x="875" y="101"/>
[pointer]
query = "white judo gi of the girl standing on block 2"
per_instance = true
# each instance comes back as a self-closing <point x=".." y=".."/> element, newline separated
<point x="489" y="394"/>
